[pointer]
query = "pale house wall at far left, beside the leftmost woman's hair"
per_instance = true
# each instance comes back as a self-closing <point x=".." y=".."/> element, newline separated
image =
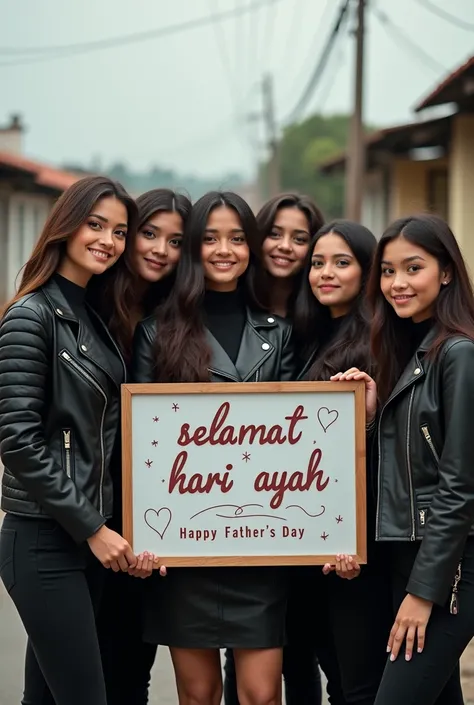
<point x="22" y="217"/>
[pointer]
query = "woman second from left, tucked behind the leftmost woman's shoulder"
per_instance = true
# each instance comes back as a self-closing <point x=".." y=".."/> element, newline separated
<point x="135" y="286"/>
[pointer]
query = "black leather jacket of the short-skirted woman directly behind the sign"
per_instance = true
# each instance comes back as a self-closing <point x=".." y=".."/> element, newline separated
<point x="265" y="354"/>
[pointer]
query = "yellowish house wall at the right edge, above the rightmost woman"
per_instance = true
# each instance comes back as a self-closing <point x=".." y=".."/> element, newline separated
<point x="461" y="184"/>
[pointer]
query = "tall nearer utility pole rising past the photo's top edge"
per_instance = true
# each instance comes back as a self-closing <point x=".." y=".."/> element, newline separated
<point x="356" y="154"/>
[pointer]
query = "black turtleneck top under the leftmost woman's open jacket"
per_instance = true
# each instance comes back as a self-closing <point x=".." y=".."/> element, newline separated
<point x="75" y="296"/>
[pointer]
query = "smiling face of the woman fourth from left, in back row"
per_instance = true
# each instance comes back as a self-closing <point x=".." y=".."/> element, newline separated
<point x="286" y="247"/>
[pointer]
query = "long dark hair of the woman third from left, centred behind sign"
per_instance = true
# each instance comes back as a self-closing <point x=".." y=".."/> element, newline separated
<point x="182" y="354"/>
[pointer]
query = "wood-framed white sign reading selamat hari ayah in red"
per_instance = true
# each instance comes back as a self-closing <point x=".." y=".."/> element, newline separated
<point x="245" y="473"/>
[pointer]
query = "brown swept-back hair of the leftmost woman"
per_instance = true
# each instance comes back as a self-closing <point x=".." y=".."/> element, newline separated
<point x="70" y="211"/>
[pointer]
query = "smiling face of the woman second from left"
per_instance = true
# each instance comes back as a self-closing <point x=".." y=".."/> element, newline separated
<point x="158" y="246"/>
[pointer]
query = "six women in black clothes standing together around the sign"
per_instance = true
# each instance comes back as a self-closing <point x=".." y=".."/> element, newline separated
<point x="160" y="290"/>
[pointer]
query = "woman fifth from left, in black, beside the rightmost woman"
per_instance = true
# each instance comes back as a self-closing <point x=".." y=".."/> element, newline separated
<point x="332" y="302"/>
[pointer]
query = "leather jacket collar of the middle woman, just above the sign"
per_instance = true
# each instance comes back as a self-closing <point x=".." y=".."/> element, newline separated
<point x="255" y="348"/>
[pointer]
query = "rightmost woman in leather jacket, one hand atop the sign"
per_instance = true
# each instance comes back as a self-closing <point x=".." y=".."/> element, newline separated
<point x="423" y="344"/>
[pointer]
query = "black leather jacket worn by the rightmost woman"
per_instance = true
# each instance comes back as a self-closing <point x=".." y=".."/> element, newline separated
<point x="426" y="464"/>
